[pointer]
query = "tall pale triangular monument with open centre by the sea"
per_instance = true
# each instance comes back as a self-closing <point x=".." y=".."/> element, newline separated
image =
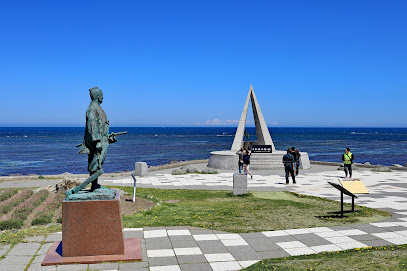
<point x="262" y="132"/>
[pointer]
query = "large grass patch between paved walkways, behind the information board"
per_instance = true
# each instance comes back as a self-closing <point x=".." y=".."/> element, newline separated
<point x="220" y="210"/>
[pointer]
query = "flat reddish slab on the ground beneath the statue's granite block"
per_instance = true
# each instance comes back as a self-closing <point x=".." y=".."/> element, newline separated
<point x="132" y="252"/>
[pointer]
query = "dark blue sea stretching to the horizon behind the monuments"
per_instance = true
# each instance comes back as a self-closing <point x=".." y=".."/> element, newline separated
<point x="42" y="151"/>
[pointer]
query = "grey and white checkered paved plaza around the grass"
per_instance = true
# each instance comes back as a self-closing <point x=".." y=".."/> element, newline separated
<point x="190" y="248"/>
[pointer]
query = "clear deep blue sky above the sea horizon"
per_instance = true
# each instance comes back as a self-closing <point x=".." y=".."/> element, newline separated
<point x="191" y="63"/>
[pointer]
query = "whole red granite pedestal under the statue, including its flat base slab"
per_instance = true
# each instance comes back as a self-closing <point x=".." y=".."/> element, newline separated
<point x="92" y="233"/>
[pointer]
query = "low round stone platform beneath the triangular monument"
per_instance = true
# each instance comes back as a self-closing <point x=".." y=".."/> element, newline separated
<point x="258" y="161"/>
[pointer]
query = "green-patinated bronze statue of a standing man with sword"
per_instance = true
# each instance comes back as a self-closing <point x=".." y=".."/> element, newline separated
<point x="95" y="143"/>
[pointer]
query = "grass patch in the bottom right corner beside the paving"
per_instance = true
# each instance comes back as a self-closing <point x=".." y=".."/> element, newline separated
<point x="370" y="258"/>
